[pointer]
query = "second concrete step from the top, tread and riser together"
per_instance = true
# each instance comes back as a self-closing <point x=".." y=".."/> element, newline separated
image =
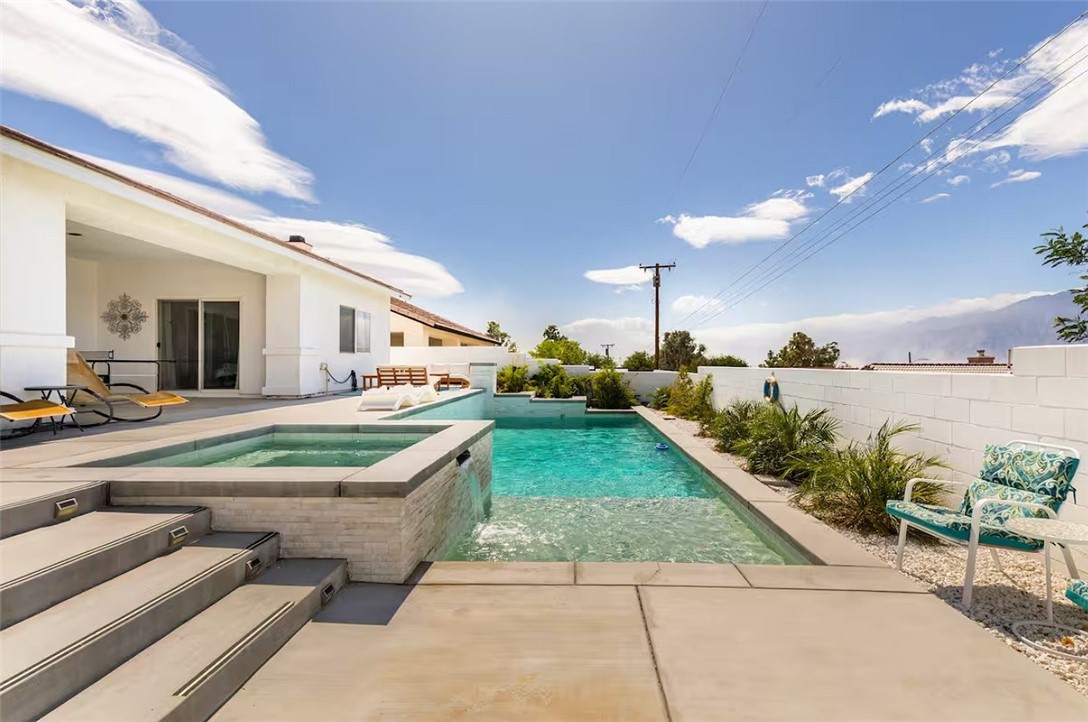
<point x="46" y="566"/>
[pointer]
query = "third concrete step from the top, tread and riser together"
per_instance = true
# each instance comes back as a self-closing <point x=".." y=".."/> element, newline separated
<point x="60" y="652"/>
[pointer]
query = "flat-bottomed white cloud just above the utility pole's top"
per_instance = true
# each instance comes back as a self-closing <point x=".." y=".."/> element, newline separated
<point x="766" y="220"/>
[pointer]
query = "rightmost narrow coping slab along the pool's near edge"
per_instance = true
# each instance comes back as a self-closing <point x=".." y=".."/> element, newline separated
<point x="850" y="579"/>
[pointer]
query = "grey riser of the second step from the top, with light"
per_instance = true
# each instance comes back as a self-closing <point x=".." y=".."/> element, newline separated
<point x="23" y="599"/>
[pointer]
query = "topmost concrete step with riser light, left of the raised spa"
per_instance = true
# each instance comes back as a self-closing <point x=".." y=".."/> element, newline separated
<point x="27" y="506"/>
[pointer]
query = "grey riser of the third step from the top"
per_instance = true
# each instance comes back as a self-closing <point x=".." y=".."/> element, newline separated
<point x="83" y="665"/>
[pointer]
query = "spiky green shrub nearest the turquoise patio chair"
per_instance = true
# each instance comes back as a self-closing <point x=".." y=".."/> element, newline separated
<point x="850" y="487"/>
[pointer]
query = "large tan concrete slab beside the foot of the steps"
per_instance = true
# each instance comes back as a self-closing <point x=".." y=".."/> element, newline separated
<point x="458" y="653"/>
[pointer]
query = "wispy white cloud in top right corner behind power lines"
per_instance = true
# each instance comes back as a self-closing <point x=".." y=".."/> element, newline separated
<point x="1056" y="127"/>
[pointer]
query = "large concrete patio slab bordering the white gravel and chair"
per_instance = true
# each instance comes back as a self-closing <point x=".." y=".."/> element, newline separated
<point x="795" y="655"/>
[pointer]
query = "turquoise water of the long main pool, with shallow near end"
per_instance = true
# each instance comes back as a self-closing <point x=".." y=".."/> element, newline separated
<point x="595" y="489"/>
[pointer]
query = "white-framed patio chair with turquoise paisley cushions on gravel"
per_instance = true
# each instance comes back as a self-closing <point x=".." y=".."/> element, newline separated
<point x="1020" y="479"/>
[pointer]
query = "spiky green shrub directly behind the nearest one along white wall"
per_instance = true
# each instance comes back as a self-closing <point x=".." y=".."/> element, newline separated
<point x="780" y="441"/>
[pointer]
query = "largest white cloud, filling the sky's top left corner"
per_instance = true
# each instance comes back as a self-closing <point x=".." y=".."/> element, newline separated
<point x="112" y="60"/>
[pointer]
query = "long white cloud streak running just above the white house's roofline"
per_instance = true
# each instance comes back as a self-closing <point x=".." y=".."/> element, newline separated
<point x="350" y="244"/>
